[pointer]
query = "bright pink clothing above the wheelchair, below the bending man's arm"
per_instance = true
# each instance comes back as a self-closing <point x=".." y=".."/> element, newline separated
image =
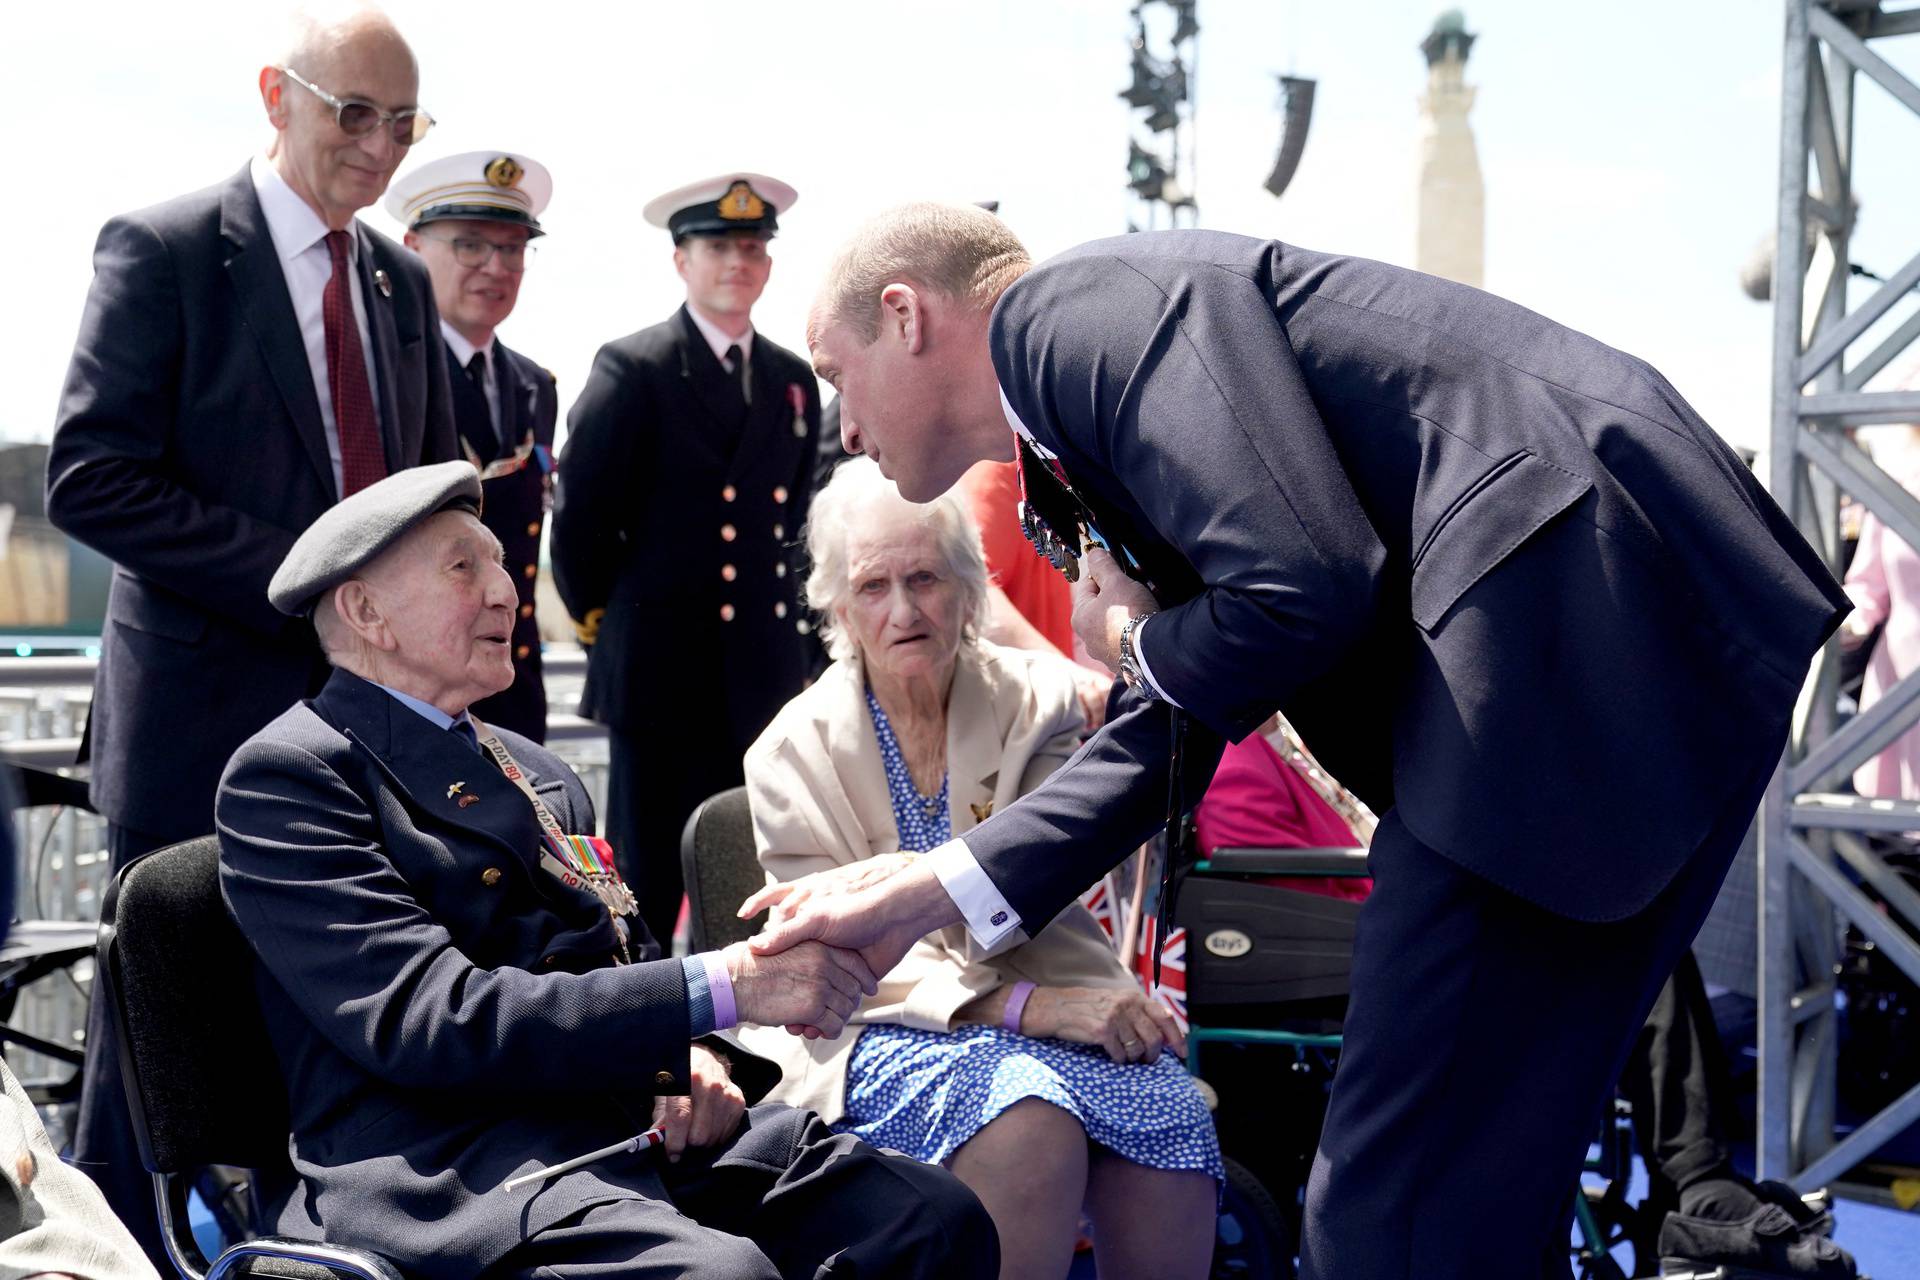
<point x="1259" y="801"/>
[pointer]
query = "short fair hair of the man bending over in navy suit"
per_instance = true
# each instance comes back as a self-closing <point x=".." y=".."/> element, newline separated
<point x="955" y="250"/>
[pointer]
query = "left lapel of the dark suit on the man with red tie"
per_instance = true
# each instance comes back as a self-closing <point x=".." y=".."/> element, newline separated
<point x="254" y="268"/>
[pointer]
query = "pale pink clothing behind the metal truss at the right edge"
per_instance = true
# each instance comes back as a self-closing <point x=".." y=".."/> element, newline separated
<point x="1884" y="586"/>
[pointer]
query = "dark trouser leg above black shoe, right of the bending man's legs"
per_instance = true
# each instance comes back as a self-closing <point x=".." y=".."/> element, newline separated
<point x="1681" y="1089"/>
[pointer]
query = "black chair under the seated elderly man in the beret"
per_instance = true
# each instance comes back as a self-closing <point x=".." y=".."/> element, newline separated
<point x="201" y="1076"/>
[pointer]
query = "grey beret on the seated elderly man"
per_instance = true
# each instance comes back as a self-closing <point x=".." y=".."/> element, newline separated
<point x="352" y="533"/>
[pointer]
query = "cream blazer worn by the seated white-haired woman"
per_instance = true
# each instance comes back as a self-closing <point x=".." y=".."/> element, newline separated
<point x="819" y="795"/>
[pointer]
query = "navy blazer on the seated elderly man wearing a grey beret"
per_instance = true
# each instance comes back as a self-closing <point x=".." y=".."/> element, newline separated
<point x="444" y="1010"/>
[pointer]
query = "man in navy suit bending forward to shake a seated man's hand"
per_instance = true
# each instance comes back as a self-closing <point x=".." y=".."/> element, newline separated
<point x="1502" y="579"/>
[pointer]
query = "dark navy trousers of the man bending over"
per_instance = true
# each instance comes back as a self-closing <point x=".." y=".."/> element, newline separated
<point x="1483" y="1043"/>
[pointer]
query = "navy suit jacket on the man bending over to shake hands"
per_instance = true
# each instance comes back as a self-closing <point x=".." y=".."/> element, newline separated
<point x="1499" y="575"/>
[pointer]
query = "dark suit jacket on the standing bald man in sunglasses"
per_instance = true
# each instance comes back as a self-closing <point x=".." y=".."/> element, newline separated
<point x="191" y="452"/>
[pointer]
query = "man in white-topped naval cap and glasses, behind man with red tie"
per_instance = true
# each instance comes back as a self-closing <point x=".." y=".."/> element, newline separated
<point x="473" y="218"/>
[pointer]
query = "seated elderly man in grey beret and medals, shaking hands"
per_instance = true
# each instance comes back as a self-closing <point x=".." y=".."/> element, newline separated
<point x="460" y="989"/>
